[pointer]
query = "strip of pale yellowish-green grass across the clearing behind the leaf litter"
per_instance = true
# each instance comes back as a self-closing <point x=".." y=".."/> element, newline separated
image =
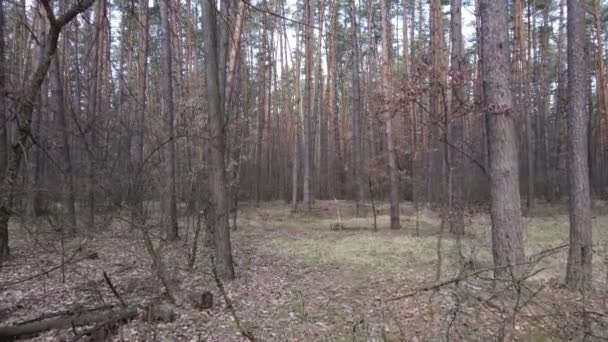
<point x="306" y="237"/>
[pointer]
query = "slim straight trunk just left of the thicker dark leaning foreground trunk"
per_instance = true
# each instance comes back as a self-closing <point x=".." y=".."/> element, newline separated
<point x="171" y="228"/>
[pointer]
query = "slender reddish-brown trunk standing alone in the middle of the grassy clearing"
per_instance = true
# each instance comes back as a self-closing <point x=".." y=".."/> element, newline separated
<point x="387" y="89"/>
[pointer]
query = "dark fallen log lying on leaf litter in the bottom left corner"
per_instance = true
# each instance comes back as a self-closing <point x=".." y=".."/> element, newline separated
<point x="67" y="321"/>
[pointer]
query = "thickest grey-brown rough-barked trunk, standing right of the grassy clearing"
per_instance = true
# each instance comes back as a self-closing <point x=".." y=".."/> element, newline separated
<point x="507" y="223"/>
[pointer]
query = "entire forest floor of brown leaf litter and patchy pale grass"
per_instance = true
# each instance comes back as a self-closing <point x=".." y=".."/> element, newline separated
<point x="298" y="280"/>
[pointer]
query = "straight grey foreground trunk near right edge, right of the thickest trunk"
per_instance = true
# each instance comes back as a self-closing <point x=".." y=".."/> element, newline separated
<point x="578" y="272"/>
